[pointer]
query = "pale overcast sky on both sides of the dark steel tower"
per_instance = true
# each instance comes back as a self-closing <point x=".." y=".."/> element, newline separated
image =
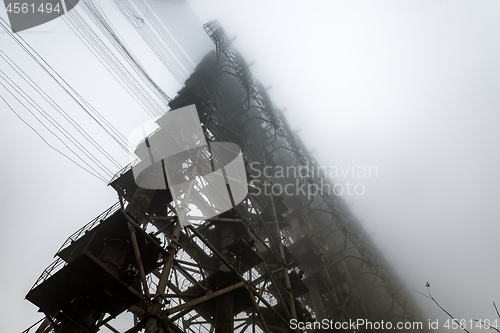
<point x="412" y="87"/>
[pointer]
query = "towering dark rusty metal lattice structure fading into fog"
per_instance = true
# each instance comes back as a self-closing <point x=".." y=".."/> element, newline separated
<point x="273" y="258"/>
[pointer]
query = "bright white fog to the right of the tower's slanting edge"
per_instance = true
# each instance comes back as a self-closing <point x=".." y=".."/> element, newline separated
<point x="412" y="88"/>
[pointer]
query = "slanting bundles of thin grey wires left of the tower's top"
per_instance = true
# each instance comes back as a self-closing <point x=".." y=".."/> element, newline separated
<point x="176" y="39"/>
